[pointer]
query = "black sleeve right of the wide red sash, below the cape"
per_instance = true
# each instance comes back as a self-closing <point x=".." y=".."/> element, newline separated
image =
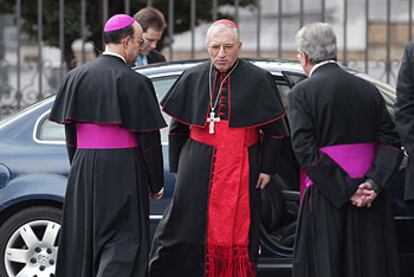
<point x="273" y="136"/>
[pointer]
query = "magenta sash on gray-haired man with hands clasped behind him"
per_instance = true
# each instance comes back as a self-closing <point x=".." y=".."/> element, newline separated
<point x="355" y="159"/>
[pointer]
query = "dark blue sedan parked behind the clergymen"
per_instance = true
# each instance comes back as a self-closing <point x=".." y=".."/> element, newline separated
<point x="34" y="169"/>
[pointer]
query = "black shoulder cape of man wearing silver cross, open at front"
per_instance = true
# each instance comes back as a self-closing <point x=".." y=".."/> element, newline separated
<point x="255" y="100"/>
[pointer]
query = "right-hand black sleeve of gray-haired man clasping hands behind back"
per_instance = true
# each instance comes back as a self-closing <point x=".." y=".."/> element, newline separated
<point x="389" y="154"/>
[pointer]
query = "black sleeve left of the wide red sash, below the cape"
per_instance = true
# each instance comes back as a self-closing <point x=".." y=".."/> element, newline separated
<point x="178" y="135"/>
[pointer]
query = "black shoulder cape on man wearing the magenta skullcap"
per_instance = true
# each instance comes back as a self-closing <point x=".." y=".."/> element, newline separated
<point x="106" y="91"/>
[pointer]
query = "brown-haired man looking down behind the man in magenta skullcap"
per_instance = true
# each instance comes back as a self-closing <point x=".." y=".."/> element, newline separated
<point x="153" y="24"/>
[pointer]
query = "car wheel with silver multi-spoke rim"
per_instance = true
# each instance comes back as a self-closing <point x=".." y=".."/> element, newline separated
<point x="28" y="242"/>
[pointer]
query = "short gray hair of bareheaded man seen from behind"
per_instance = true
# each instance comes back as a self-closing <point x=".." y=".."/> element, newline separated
<point x="318" y="42"/>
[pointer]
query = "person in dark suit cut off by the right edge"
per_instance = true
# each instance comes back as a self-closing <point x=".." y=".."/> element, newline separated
<point x="404" y="114"/>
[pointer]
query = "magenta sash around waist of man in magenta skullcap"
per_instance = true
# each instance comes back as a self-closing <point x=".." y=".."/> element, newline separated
<point x="104" y="136"/>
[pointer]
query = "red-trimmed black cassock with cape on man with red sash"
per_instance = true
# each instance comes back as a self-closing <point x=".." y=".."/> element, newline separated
<point x="249" y="100"/>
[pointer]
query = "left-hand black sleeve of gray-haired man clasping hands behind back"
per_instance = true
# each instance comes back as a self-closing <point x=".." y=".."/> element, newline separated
<point x="326" y="174"/>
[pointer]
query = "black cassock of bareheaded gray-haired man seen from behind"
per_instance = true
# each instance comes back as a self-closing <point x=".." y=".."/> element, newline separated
<point x="335" y="238"/>
